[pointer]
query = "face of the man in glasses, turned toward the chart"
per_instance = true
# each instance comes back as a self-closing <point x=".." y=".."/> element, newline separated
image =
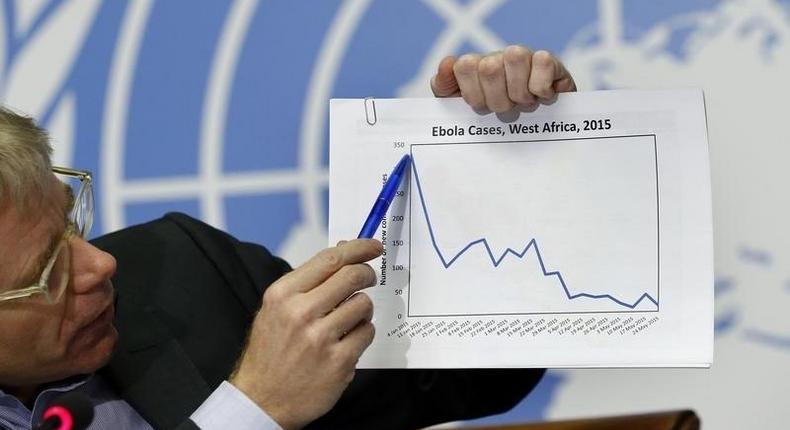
<point x="42" y="342"/>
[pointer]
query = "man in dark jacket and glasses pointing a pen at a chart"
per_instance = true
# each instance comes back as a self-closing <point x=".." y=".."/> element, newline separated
<point x="185" y="343"/>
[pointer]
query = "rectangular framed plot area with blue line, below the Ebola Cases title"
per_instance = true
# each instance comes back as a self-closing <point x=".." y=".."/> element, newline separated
<point x="508" y="228"/>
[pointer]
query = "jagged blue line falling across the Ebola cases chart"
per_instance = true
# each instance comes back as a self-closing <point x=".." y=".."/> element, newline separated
<point x="497" y="261"/>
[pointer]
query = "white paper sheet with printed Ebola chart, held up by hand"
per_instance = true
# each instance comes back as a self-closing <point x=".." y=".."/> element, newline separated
<point x="577" y="235"/>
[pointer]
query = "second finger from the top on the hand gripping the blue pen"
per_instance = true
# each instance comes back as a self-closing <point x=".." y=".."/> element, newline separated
<point x="347" y="281"/>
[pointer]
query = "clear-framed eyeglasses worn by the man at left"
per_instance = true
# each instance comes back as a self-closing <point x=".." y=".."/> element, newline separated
<point x="55" y="275"/>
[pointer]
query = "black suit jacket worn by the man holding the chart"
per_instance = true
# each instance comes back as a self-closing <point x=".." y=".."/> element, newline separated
<point x="186" y="295"/>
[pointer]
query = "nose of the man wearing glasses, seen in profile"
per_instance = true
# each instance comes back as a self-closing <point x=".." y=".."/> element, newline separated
<point x="91" y="266"/>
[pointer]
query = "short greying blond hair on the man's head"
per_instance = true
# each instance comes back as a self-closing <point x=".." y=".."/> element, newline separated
<point x="25" y="165"/>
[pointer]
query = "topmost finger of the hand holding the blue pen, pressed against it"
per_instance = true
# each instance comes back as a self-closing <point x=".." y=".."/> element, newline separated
<point x="327" y="262"/>
